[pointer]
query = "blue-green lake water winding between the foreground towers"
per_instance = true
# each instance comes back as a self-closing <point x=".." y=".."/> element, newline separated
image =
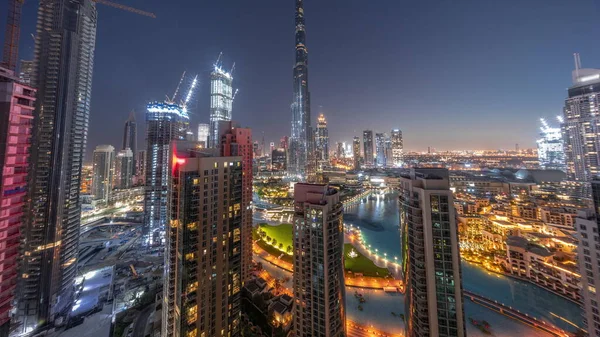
<point x="378" y="219"/>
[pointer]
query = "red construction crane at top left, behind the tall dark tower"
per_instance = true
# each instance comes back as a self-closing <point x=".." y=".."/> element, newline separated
<point x="10" y="53"/>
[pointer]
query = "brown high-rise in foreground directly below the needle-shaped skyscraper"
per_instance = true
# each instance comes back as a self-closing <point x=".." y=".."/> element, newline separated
<point x="318" y="262"/>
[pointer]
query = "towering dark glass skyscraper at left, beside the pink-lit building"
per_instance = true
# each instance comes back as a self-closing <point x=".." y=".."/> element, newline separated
<point x="64" y="58"/>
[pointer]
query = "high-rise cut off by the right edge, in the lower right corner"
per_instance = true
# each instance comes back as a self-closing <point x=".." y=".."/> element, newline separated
<point x="588" y="254"/>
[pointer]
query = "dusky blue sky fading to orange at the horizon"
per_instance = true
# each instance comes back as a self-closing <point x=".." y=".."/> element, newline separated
<point x="468" y="74"/>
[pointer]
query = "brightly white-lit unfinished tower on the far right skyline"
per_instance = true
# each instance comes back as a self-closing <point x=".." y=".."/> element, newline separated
<point x="551" y="152"/>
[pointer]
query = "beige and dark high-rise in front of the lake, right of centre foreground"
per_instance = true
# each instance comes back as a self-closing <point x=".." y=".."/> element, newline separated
<point x="430" y="255"/>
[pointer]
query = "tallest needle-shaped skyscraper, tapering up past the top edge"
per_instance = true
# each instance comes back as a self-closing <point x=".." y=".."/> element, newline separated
<point x="301" y="136"/>
